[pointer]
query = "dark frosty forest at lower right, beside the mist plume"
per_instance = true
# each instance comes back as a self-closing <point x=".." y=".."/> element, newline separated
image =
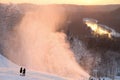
<point x="98" y="57"/>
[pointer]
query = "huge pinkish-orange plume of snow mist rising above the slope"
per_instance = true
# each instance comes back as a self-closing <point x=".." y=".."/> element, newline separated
<point x="41" y="47"/>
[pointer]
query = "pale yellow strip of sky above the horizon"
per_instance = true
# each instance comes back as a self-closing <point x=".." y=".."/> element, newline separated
<point x="78" y="2"/>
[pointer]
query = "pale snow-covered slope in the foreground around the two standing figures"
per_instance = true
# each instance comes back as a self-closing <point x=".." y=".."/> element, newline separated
<point x="10" y="71"/>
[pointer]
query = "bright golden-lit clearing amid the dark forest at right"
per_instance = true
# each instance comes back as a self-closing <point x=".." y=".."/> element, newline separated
<point x="100" y="29"/>
